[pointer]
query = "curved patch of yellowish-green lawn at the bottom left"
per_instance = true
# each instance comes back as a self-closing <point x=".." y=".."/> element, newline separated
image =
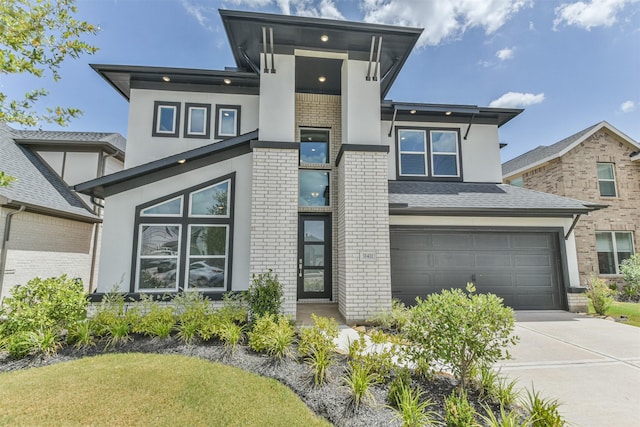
<point x="145" y="390"/>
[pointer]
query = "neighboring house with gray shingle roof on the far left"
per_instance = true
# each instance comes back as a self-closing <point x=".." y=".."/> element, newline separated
<point x="46" y="229"/>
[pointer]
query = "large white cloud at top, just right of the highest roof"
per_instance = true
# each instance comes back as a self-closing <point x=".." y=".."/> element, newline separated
<point x="442" y="20"/>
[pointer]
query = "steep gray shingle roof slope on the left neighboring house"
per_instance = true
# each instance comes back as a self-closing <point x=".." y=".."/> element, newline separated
<point x="36" y="185"/>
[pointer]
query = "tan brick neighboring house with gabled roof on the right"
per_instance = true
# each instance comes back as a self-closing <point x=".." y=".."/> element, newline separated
<point x="599" y="164"/>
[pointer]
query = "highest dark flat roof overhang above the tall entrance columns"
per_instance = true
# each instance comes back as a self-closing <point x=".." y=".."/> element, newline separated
<point x="244" y="30"/>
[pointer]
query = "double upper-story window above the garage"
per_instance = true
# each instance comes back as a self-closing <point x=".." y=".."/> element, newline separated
<point x="429" y="153"/>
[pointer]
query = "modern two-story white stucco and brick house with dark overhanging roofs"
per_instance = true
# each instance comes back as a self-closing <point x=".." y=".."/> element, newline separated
<point x="294" y="162"/>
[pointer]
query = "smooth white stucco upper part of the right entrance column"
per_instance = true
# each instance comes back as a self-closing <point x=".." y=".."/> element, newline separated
<point x="360" y="104"/>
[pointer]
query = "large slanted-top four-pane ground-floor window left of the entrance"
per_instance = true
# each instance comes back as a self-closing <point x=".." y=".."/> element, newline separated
<point x="186" y="247"/>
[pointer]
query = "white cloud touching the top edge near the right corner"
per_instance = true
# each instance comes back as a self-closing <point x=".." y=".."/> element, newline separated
<point x="594" y="13"/>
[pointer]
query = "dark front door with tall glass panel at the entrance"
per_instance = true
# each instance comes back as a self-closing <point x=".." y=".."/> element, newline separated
<point x="314" y="256"/>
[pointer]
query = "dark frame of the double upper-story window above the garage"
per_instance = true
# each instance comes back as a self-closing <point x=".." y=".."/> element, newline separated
<point x="428" y="155"/>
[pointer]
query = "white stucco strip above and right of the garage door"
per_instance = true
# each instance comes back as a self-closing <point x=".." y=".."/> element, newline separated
<point x="443" y="221"/>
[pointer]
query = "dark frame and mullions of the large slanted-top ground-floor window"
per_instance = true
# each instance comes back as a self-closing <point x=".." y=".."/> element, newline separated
<point x="185" y="222"/>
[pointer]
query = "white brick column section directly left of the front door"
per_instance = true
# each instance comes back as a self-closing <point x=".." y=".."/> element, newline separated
<point x="274" y="218"/>
